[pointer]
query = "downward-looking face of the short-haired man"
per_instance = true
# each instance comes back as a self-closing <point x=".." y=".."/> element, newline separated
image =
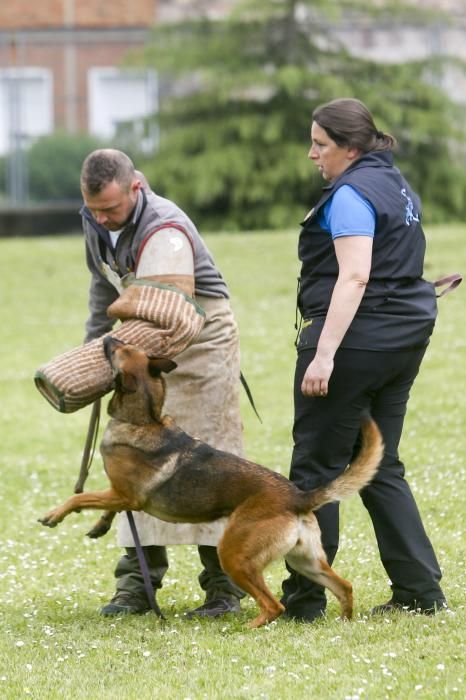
<point x="113" y="205"/>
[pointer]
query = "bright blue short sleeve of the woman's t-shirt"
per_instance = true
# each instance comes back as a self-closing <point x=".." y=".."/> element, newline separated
<point x="347" y="213"/>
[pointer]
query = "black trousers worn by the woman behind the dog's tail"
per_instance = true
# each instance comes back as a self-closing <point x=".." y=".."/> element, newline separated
<point x="326" y="436"/>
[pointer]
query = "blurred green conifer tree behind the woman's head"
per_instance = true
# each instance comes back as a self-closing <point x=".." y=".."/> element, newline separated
<point x="234" y="138"/>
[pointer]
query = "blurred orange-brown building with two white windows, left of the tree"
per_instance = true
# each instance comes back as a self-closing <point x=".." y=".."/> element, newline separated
<point x="60" y="67"/>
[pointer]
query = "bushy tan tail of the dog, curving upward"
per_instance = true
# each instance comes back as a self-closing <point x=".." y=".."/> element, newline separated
<point x="358" y="474"/>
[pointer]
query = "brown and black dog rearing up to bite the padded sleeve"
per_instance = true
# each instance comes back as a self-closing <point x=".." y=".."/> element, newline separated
<point x="154" y="466"/>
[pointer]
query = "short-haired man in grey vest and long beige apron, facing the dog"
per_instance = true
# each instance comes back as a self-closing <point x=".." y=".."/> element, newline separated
<point x="138" y="242"/>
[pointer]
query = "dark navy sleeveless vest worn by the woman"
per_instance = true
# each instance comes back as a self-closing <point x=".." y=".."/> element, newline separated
<point x="399" y="307"/>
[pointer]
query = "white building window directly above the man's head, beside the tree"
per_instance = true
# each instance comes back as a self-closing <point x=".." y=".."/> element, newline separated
<point x="121" y="100"/>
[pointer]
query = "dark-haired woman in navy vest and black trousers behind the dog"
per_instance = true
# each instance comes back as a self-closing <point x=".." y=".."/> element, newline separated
<point x="367" y="315"/>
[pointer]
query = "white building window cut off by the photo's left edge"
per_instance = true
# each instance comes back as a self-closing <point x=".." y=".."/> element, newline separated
<point x="26" y="106"/>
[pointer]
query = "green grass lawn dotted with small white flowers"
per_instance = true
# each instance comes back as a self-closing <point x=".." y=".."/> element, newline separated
<point x="54" y="644"/>
